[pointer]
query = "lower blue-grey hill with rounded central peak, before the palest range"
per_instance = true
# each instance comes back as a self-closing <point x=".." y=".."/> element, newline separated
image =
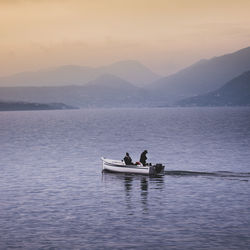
<point x="105" y="91"/>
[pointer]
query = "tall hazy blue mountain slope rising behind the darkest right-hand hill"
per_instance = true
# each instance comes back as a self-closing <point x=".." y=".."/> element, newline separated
<point x="201" y="77"/>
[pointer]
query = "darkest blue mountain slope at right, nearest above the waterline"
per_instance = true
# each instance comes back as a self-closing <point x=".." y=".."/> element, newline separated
<point x="234" y="93"/>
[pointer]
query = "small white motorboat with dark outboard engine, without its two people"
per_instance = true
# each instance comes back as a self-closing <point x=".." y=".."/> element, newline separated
<point x="138" y="168"/>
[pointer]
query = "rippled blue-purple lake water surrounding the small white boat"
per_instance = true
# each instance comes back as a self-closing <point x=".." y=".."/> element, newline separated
<point x="53" y="194"/>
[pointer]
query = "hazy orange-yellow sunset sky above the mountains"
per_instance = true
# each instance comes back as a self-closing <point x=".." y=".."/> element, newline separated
<point x="165" y="35"/>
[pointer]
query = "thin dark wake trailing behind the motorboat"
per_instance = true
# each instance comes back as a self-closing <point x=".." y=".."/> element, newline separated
<point x="226" y="174"/>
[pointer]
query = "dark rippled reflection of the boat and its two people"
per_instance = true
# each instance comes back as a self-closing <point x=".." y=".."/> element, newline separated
<point x="135" y="186"/>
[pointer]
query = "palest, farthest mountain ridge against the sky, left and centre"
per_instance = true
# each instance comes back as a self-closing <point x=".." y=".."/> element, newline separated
<point x="132" y="71"/>
